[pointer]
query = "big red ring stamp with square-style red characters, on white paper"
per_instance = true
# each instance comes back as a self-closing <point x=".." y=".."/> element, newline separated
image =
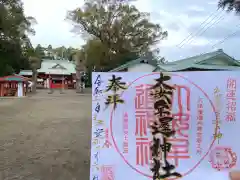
<point x="183" y="148"/>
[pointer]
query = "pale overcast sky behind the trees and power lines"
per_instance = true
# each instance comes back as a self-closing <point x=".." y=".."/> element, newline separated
<point x="179" y="18"/>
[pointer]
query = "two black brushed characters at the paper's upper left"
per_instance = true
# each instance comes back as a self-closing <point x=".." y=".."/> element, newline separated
<point x="115" y="85"/>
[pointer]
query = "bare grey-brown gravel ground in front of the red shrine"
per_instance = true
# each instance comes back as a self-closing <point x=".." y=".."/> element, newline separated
<point x="45" y="137"/>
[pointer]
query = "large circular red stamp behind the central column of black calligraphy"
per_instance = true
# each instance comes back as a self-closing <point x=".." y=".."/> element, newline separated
<point x="181" y="111"/>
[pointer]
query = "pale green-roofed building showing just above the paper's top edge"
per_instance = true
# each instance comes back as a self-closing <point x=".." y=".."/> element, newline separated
<point x="212" y="61"/>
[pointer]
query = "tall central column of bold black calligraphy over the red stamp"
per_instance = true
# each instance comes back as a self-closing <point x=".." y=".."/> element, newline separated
<point x="161" y="129"/>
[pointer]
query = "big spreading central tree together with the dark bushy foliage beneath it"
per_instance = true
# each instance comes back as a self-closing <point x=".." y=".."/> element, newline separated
<point x="119" y="33"/>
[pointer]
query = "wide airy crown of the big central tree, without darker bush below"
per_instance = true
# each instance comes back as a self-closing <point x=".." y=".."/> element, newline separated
<point x="121" y="28"/>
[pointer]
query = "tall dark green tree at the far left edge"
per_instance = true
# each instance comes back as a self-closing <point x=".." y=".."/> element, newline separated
<point x="14" y="29"/>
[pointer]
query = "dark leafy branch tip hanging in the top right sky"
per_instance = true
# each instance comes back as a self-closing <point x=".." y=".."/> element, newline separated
<point x="230" y="5"/>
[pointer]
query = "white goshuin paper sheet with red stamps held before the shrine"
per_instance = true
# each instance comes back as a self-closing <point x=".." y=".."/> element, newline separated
<point x="206" y="143"/>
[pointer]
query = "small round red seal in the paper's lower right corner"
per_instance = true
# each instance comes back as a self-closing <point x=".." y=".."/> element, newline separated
<point x="222" y="158"/>
